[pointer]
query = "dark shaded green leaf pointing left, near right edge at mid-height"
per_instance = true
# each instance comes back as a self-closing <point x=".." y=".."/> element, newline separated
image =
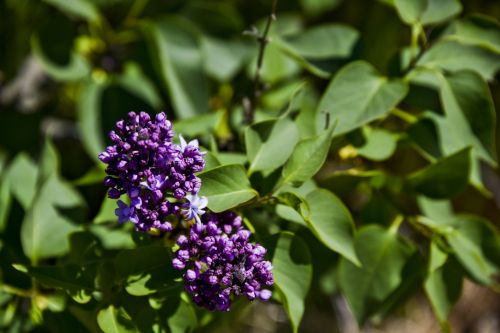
<point x="445" y="178"/>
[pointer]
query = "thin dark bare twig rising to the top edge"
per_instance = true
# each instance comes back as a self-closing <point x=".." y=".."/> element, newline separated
<point x="250" y="105"/>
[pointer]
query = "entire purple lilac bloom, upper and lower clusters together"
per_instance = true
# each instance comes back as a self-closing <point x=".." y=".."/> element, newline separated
<point x="158" y="176"/>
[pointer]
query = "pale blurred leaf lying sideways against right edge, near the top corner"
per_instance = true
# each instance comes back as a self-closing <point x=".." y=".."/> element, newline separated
<point x="449" y="55"/>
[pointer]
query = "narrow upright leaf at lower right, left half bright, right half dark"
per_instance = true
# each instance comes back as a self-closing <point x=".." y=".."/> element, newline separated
<point x="443" y="285"/>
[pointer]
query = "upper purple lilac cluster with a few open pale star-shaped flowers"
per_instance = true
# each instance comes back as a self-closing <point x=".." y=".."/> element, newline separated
<point x="157" y="175"/>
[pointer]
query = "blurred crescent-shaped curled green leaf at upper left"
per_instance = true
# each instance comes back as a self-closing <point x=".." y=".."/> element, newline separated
<point x="77" y="68"/>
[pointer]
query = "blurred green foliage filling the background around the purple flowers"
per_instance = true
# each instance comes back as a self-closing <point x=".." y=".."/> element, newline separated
<point x="369" y="166"/>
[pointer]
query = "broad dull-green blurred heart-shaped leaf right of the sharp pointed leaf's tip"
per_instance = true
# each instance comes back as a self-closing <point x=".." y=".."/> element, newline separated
<point x="382" y="255"/>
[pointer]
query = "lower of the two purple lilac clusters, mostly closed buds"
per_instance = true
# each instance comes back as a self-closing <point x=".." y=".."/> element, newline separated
<point x="219" y="261"/>
